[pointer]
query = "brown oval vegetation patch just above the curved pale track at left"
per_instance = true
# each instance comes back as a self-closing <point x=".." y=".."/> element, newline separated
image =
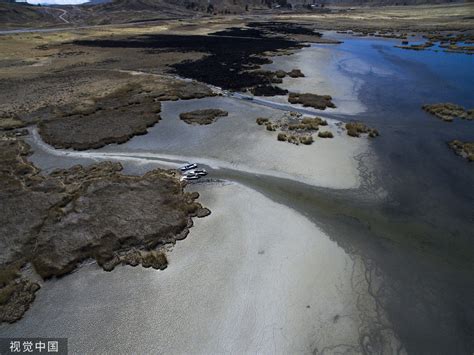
<point x="114" y="118"/>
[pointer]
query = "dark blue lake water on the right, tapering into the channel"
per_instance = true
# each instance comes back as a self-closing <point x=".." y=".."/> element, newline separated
<point x="421" y="237"/>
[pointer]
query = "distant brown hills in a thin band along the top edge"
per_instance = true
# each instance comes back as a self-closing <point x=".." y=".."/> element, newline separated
<point x="14" y="15"/>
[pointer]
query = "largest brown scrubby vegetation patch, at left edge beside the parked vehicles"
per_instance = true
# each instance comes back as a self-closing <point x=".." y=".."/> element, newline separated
<point x="53" y="222"/>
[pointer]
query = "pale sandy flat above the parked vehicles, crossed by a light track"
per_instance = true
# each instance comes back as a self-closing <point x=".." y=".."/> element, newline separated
<point x="233" y="142"/>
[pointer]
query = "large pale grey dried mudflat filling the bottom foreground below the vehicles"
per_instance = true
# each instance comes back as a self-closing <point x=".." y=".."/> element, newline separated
<point x="278" y="284"/>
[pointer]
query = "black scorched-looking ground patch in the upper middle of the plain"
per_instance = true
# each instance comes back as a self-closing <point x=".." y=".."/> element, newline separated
<point x="225" y="66"/>
